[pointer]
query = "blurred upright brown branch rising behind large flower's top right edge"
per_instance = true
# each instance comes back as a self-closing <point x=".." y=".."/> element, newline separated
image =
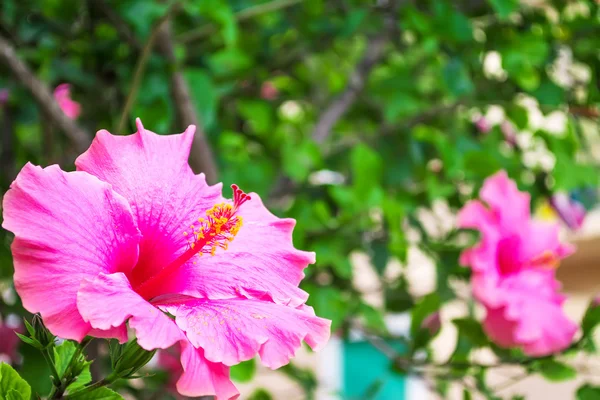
<point x="201" y="156"/>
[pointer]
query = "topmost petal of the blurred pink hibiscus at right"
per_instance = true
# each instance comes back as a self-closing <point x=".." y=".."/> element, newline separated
<point x="503" y="196"/>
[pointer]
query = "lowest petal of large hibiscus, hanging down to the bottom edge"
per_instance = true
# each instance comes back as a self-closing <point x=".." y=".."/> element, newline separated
<point x="204" y="378"/>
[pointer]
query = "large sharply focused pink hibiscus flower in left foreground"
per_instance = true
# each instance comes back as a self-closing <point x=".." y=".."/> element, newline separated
<point x="119" y="241"/>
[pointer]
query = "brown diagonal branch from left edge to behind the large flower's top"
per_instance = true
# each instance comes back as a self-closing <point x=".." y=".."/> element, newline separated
<point x="43" y="96"/>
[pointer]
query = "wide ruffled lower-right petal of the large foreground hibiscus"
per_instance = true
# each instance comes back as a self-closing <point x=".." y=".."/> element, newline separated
<point x="235" y="330"/>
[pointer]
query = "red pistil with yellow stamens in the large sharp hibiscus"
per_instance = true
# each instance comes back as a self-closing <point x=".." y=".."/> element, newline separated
<point x="217" y="230"/>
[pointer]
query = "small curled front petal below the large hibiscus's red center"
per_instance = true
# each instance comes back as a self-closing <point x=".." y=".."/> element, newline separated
<point x="108" y="301"/>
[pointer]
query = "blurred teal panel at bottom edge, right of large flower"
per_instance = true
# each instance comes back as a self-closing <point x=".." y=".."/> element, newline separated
<point x="367" y="374"/>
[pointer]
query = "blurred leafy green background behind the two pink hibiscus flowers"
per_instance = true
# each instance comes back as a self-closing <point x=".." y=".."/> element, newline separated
<point x="370" y="122"/>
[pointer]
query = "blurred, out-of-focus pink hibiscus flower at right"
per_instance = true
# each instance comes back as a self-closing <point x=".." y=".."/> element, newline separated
<point x="514" y="270"/>
